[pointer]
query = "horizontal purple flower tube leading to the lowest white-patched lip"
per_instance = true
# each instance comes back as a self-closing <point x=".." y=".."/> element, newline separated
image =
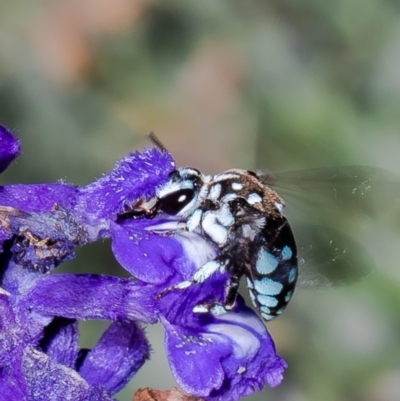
<point x="91" y="297"/>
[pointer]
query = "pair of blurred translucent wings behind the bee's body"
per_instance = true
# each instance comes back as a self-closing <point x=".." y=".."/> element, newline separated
<point x="323" y="207"/>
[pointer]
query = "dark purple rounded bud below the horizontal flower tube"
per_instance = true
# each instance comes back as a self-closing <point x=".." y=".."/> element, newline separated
<point x="119" y="354"/>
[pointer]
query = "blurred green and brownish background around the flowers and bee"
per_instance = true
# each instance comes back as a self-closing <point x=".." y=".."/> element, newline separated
<point x="282" y="85"/>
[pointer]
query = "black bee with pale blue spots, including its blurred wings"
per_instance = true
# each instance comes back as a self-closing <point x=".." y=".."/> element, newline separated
<point x="239" y="213"/>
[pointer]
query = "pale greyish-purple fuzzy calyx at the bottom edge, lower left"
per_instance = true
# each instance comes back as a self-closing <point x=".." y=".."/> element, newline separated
<point x="47" y="380"/>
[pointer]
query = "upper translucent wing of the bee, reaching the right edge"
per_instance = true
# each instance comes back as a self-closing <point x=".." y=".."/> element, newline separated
<point x="359" y="191"/>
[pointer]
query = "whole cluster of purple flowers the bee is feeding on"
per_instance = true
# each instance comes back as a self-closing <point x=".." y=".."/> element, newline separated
<point x="215" y="357"/>
